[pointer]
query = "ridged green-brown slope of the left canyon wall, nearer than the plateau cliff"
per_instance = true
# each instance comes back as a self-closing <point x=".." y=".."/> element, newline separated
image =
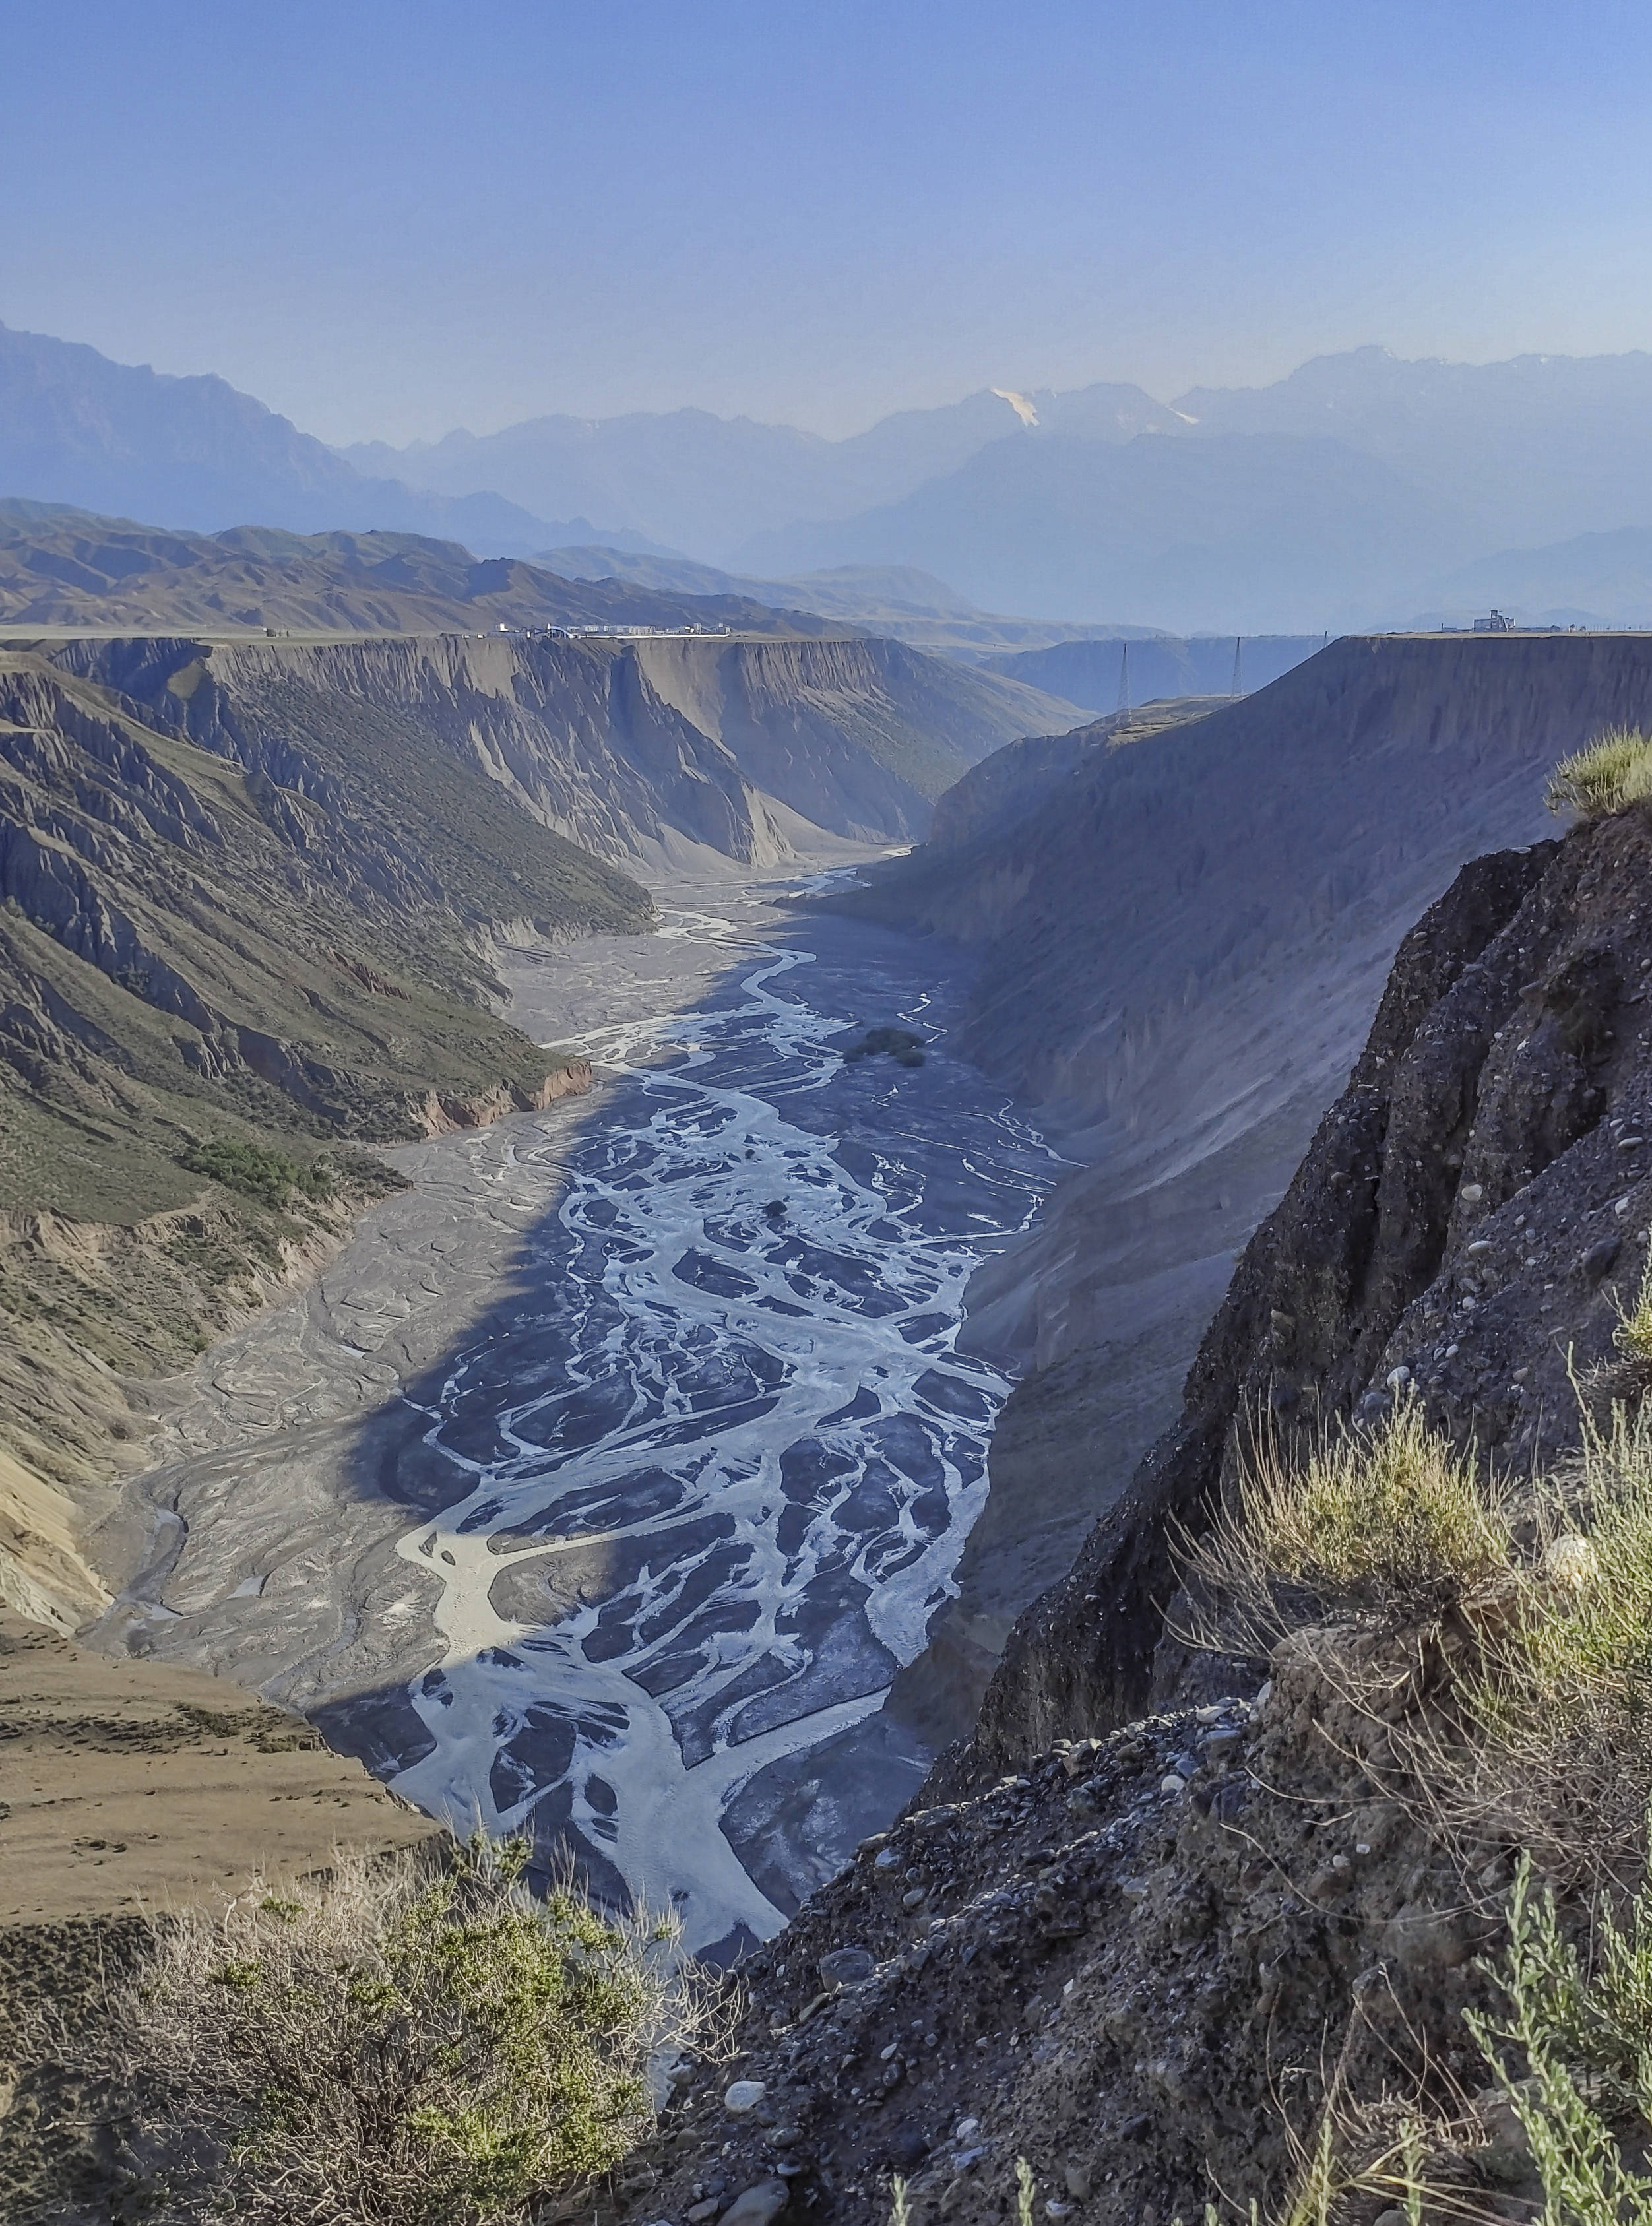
<point x="195" y="954"/>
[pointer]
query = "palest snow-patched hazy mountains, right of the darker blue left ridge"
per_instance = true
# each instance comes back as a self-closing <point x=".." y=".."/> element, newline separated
<point x="1477" y="457"/>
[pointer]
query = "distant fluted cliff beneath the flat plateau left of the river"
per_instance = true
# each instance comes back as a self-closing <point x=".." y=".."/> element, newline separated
<point x="645" y="749"/>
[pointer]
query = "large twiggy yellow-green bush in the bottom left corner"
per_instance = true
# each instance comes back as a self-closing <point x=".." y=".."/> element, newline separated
<point x="386" y="2049"/>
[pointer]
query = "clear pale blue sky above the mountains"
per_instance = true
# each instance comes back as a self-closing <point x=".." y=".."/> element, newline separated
<point x="393" y="219"/>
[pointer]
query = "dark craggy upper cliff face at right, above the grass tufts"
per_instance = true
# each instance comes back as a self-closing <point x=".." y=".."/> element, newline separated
<point x="1473" y="1212"/>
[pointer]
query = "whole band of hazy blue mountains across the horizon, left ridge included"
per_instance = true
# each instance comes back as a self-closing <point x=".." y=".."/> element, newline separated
<point x="1359" y="491"/>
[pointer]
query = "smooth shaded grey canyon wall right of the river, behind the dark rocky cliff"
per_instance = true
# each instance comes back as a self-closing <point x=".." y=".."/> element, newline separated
<point x="1181" y="952"/>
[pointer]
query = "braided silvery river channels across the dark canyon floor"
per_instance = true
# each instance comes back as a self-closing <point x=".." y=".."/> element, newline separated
<point x="696" y="1481"/>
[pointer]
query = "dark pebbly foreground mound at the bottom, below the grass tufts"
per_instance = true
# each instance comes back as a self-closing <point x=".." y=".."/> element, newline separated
<point x="1137" y="1964"/>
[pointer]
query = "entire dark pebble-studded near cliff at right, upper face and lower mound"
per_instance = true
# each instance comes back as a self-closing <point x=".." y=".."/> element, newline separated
<point x="1154" y="1929"/>
